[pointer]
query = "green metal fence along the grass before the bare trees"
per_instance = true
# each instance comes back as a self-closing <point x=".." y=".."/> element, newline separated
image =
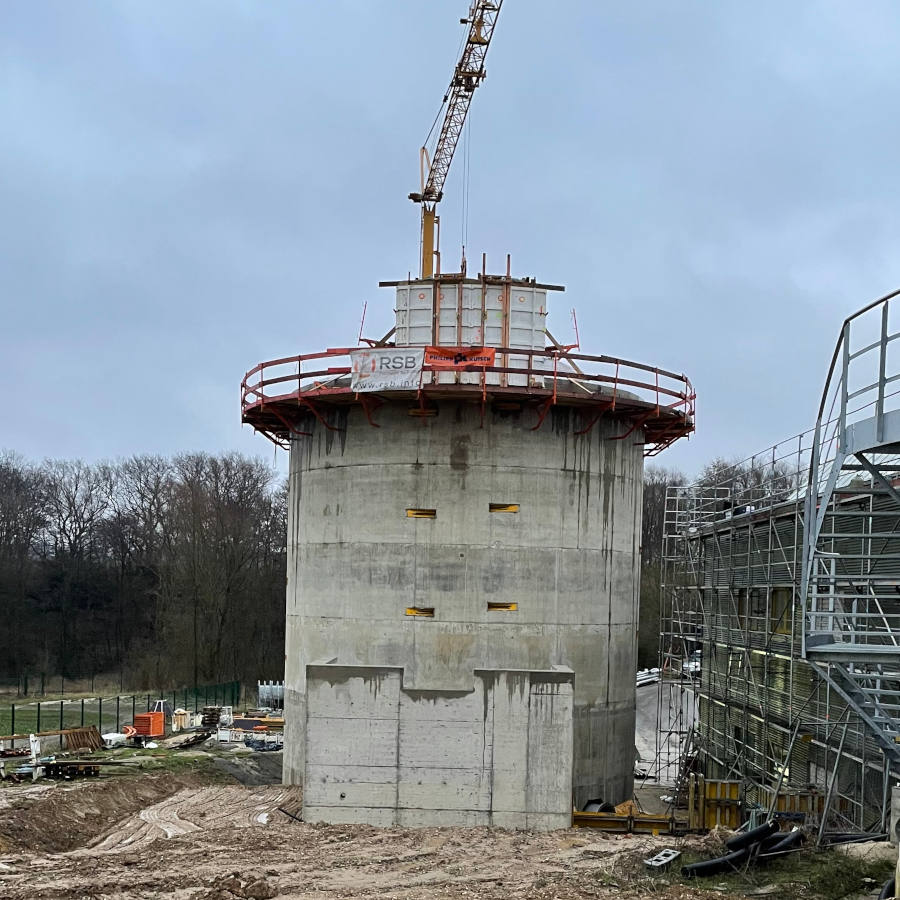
<point x="109" y="713"/>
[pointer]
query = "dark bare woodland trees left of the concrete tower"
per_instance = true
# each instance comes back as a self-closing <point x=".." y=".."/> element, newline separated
<point x="162" y="572"/>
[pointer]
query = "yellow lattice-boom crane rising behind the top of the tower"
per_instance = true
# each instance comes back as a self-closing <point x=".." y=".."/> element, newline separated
<point x="467" y="75"/>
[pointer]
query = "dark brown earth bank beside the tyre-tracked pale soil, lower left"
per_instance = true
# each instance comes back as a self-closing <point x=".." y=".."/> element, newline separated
<point x="66" y="816"/>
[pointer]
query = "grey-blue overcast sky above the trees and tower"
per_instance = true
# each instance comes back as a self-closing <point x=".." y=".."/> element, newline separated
<point x="188" y="187"/>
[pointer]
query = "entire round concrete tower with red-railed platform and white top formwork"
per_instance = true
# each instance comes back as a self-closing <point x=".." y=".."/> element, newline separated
<point x="465" y="507"/>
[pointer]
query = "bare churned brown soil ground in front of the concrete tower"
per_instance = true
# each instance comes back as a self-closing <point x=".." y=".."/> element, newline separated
<point x="214" y="825"/>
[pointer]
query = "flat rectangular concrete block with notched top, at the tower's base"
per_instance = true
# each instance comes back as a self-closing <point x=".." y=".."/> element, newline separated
<point x="381" y="754"/>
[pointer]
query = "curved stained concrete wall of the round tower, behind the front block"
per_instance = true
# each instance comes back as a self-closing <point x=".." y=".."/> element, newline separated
<point x="569" y="558"/>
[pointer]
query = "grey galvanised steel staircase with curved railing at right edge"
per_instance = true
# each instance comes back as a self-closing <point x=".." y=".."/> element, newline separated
<point x="851" y="553"/>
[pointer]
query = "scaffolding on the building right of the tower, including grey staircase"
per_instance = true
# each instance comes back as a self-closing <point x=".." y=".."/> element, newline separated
<point x="780" y="615"/>
